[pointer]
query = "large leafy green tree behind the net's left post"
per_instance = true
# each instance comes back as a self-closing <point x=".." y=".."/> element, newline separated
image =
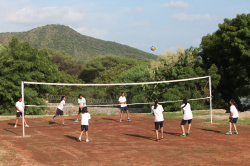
<point x="21" y="62"/>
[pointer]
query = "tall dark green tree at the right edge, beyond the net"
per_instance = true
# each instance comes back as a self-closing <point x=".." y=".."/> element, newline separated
<point x="229" y="49"/>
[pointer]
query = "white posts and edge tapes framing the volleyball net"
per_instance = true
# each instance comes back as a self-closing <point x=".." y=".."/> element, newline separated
<point x="119" y="84"/>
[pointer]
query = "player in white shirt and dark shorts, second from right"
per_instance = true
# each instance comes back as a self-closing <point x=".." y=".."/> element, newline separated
<point x="187" y="117"/>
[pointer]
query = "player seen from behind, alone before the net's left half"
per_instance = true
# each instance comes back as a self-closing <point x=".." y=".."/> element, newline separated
<point x="85" y="117"/>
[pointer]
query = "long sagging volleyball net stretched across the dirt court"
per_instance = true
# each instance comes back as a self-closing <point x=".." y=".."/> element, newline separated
<point x="197" y="91"/>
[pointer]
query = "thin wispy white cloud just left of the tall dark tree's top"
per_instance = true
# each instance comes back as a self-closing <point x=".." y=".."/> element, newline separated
<point x="196" y="17"/>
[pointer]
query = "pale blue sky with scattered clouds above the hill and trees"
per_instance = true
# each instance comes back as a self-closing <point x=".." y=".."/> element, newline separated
<point x="137" y="23"/>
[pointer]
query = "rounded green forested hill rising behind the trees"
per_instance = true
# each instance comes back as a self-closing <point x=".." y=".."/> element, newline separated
<point x="60" y="37"/>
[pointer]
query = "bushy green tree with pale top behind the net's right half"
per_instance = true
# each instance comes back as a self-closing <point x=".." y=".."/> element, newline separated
<point x="183" y="66"/>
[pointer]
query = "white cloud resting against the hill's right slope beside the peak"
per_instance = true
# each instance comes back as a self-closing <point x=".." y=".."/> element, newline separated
<point x="93" y="32"/>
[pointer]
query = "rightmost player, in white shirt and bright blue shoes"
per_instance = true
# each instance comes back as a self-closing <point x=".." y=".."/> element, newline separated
<point x="234" y="115"/>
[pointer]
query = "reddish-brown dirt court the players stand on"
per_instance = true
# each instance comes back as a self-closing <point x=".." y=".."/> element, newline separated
<point x="126" y="143"/>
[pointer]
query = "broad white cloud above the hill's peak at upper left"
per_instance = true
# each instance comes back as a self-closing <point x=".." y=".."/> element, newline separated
<point x="48" y="15"/>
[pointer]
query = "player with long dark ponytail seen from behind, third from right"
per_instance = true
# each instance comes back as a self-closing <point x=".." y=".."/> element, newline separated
<point x="157" y="111"/>
